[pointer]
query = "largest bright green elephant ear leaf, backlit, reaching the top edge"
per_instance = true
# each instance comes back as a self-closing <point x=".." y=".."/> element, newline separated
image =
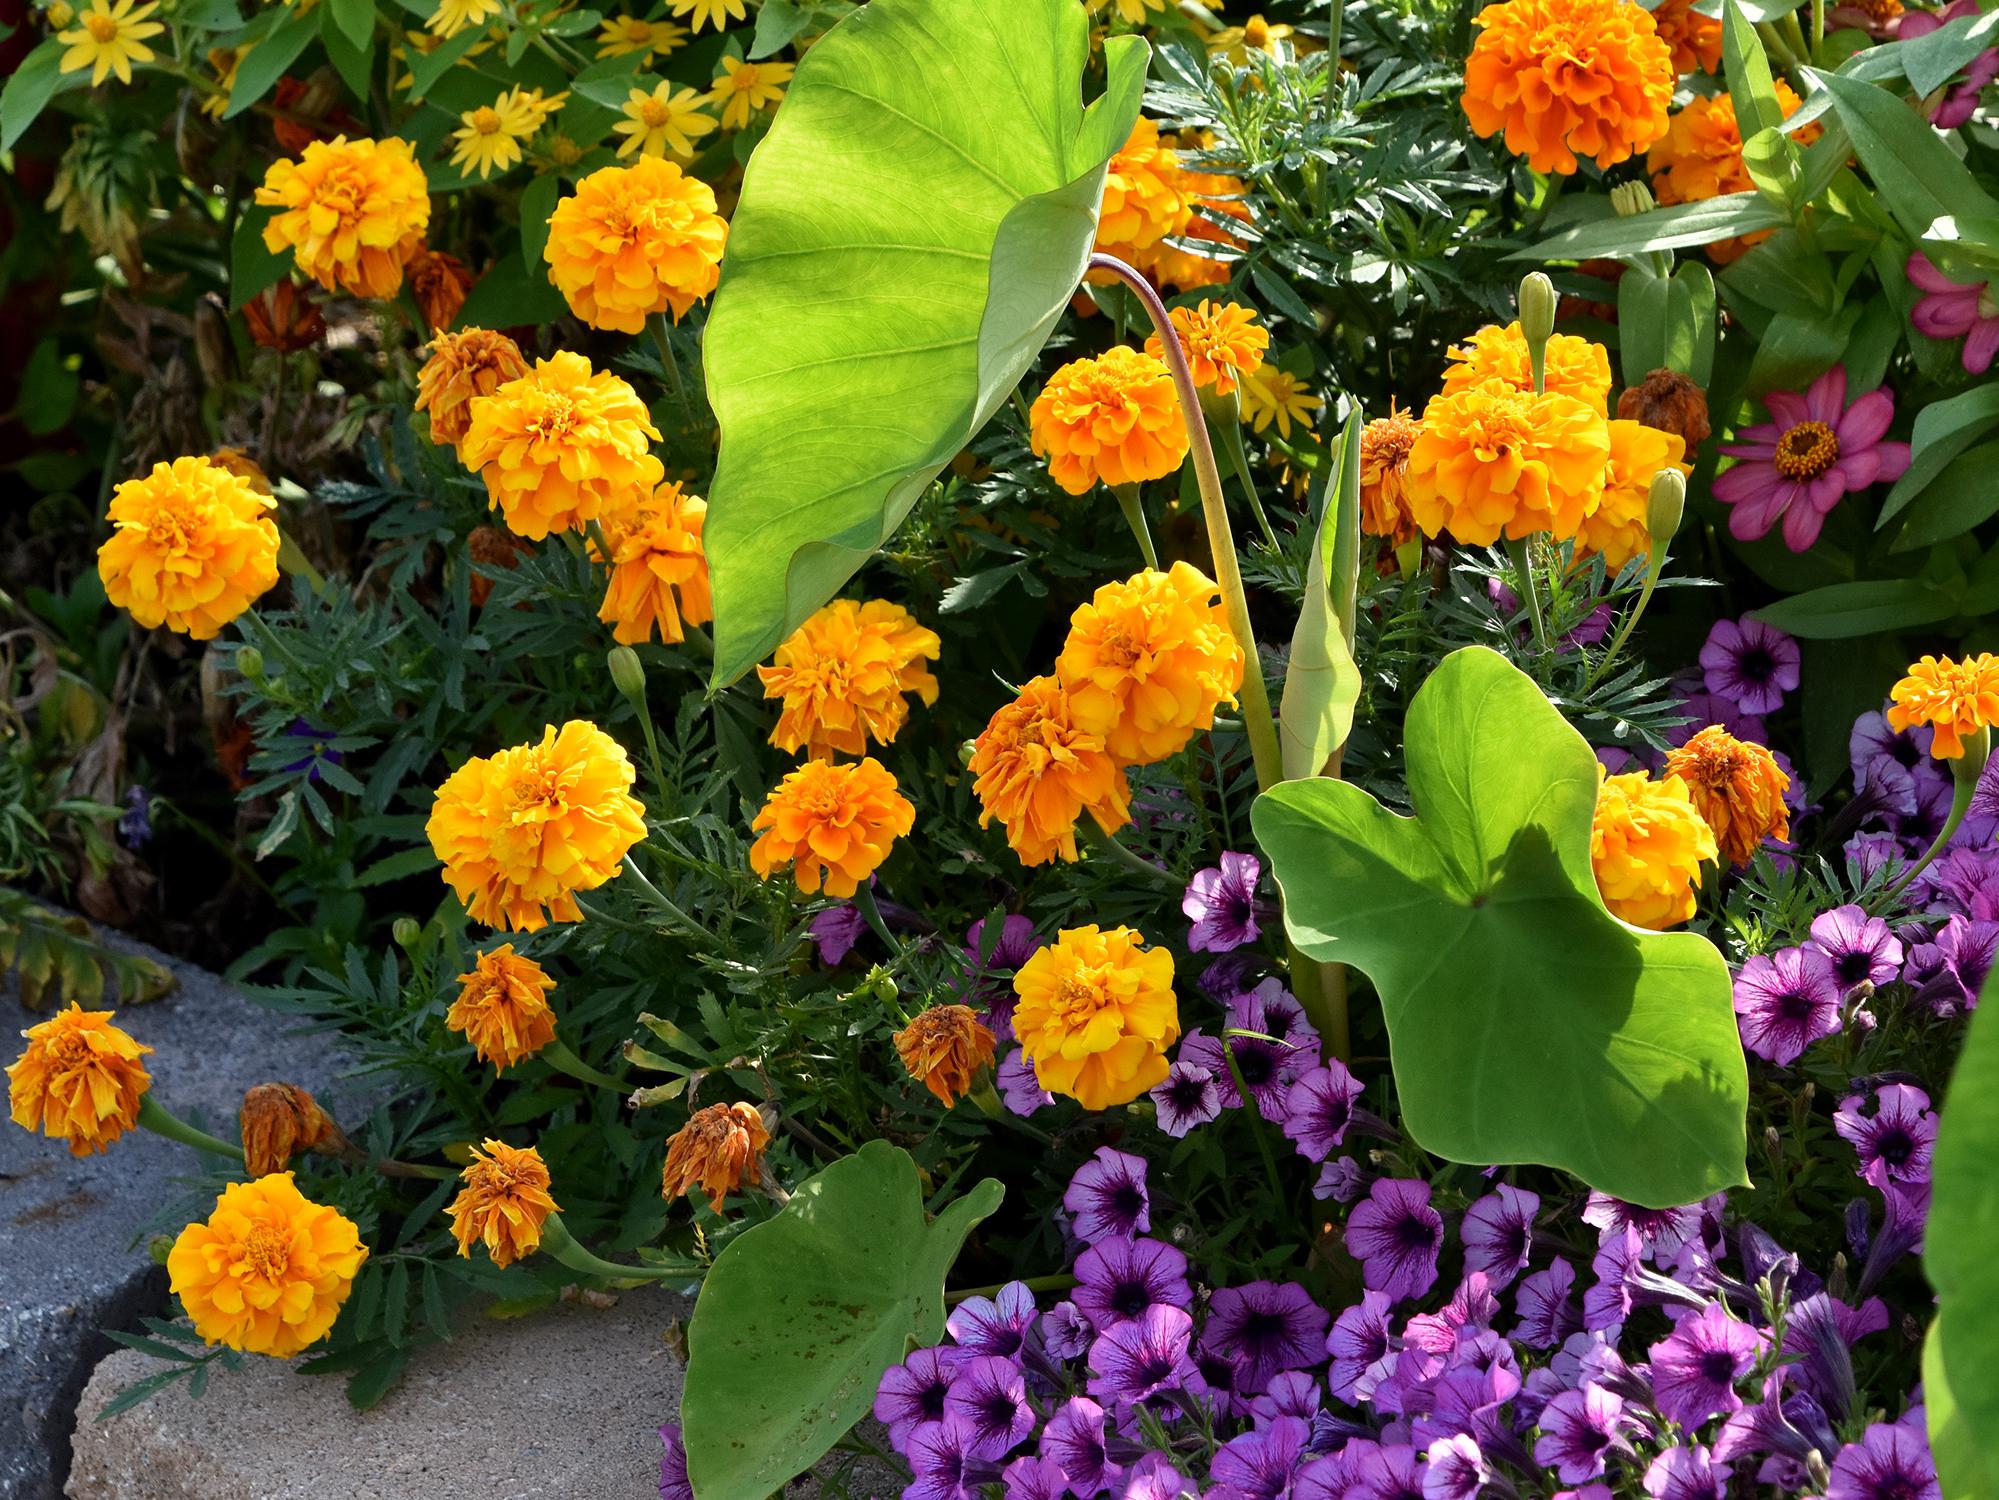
<point x="909" y="235"/>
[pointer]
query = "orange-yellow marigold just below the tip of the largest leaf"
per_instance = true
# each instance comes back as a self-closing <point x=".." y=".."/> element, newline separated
<point x="845" y="673"/>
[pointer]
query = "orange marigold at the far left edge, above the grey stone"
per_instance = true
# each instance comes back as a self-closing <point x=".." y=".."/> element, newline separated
<point x="79" y="1079"/>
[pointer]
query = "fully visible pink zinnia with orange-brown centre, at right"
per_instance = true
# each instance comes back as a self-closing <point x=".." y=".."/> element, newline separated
<point x="1798" y="467"/>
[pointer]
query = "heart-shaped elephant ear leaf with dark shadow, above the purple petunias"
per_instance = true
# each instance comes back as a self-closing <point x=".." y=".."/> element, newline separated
<point x="1526" y="1023"/>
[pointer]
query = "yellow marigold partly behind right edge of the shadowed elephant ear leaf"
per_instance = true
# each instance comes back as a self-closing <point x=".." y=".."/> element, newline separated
<point x="1648" y="845"/>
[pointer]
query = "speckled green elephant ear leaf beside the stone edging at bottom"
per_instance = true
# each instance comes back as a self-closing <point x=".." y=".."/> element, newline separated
<point x="801" y="1317"/>
